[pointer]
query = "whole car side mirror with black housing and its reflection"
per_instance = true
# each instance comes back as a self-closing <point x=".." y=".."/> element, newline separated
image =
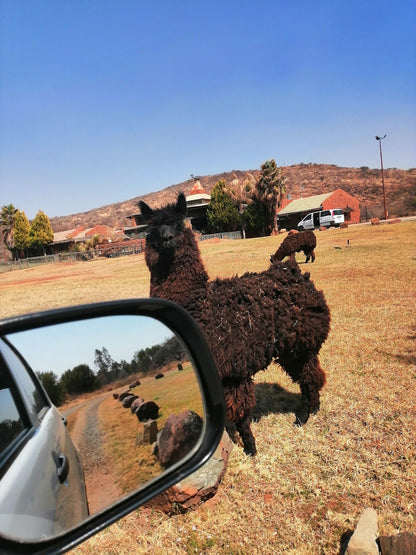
<point x="145" y="410"/>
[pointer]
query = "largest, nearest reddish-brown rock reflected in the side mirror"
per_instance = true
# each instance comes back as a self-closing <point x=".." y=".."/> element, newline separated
<point x="179" y="435"/>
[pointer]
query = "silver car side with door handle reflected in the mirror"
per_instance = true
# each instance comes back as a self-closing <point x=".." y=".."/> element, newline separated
<point x="41" y="482"/>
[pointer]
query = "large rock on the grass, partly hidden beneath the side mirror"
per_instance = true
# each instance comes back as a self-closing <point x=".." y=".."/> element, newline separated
<point x="198" y="487"/>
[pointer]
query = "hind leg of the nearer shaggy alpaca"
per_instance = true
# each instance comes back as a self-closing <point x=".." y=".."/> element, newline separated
<point x="311" y="381"/>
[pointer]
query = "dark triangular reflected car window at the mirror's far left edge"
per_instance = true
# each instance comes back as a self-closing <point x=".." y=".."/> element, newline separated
<point x="11" y="424"/>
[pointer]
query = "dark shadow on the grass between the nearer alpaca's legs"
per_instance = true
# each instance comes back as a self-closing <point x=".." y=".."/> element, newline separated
<point x="273" y="398"/>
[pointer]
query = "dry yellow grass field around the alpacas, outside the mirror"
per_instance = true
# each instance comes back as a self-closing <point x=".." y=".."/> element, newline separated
<point x="306" y="487"/>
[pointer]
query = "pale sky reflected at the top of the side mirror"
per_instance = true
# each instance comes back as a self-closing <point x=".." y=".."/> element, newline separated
<point x="61" y="347"/>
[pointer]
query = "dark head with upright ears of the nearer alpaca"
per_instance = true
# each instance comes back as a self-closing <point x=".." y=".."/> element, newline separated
<point x="165" y="226"/>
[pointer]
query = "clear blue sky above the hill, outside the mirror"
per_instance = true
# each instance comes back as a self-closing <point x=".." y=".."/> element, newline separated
<point x="105" y="100"/>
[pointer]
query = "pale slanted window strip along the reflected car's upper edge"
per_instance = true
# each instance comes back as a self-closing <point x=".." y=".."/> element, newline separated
<point x="32" y="394"/>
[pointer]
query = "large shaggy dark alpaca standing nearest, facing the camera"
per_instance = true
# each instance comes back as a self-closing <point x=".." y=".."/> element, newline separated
<point x="248" y="321"/>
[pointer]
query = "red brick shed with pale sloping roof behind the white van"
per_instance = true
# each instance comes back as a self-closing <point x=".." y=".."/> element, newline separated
<point x="294" y="210"/>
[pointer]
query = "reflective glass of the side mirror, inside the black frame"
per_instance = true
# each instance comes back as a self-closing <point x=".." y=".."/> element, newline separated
<point x="123" y="386"/>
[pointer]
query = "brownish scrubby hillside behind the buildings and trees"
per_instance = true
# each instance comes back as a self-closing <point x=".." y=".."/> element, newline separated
<point x="302" y="180"/>
